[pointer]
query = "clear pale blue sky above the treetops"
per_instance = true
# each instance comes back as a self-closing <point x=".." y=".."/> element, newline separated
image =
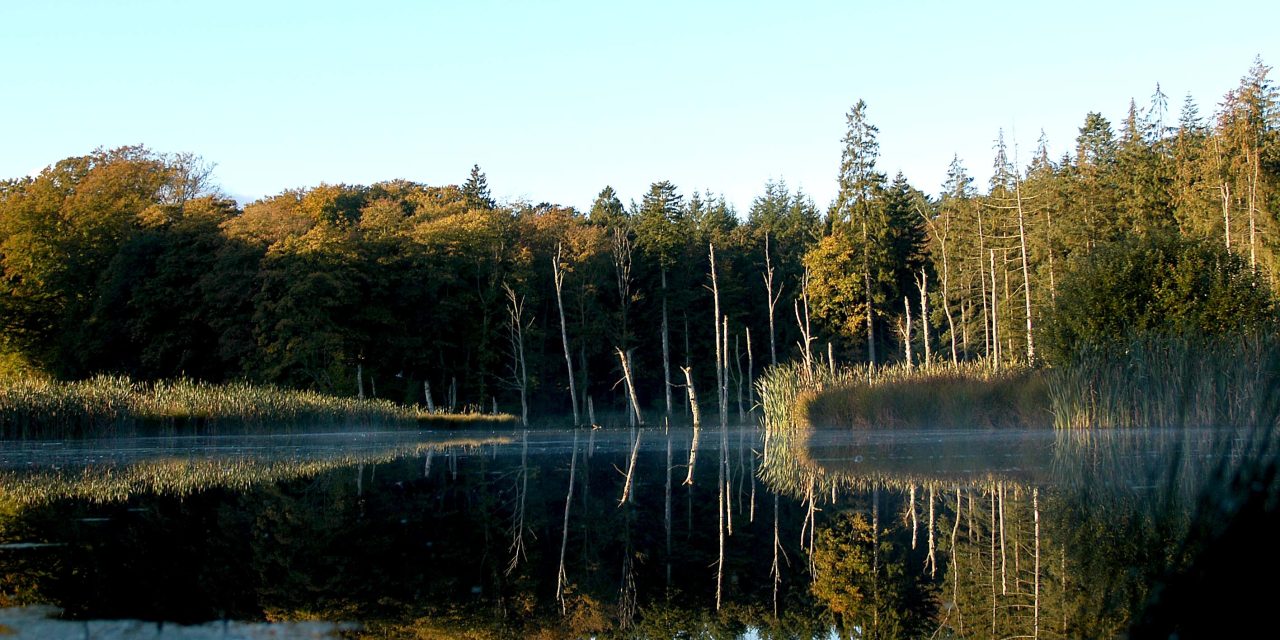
<point x="557" y="99"/>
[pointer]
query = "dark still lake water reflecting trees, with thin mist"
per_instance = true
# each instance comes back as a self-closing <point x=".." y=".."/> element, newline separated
<point x="597" y="534"/>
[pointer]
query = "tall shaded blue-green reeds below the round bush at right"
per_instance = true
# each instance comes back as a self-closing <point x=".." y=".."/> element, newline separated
<point x="1171" y="382"/>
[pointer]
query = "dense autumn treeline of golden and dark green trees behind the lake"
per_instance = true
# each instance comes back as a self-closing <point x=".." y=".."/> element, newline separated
<point x="130" y="262"/>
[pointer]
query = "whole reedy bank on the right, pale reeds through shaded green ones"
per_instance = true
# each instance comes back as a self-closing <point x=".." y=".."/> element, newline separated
<point x="1149" y="381"/>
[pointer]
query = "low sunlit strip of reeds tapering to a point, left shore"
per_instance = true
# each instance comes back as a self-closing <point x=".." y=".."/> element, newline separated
<point x="99" y="406"/>
